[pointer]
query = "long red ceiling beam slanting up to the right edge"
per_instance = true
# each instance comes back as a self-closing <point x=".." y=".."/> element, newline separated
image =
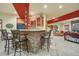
<point x="65" y="17"/>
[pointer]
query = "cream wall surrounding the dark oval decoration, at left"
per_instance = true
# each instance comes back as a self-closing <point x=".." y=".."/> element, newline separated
<point x="8" y="19"/>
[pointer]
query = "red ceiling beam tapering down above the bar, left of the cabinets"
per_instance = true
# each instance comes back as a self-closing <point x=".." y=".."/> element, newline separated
<point x="23" y="12"/>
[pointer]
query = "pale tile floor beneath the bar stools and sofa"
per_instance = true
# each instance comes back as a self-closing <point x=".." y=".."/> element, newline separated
<point x="59" y="47"/>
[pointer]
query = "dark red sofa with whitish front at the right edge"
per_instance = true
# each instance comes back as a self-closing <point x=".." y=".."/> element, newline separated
<point x="71" y="36"/>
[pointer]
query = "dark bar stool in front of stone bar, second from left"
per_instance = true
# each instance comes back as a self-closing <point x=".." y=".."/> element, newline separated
<point x="18" y="40"/>
